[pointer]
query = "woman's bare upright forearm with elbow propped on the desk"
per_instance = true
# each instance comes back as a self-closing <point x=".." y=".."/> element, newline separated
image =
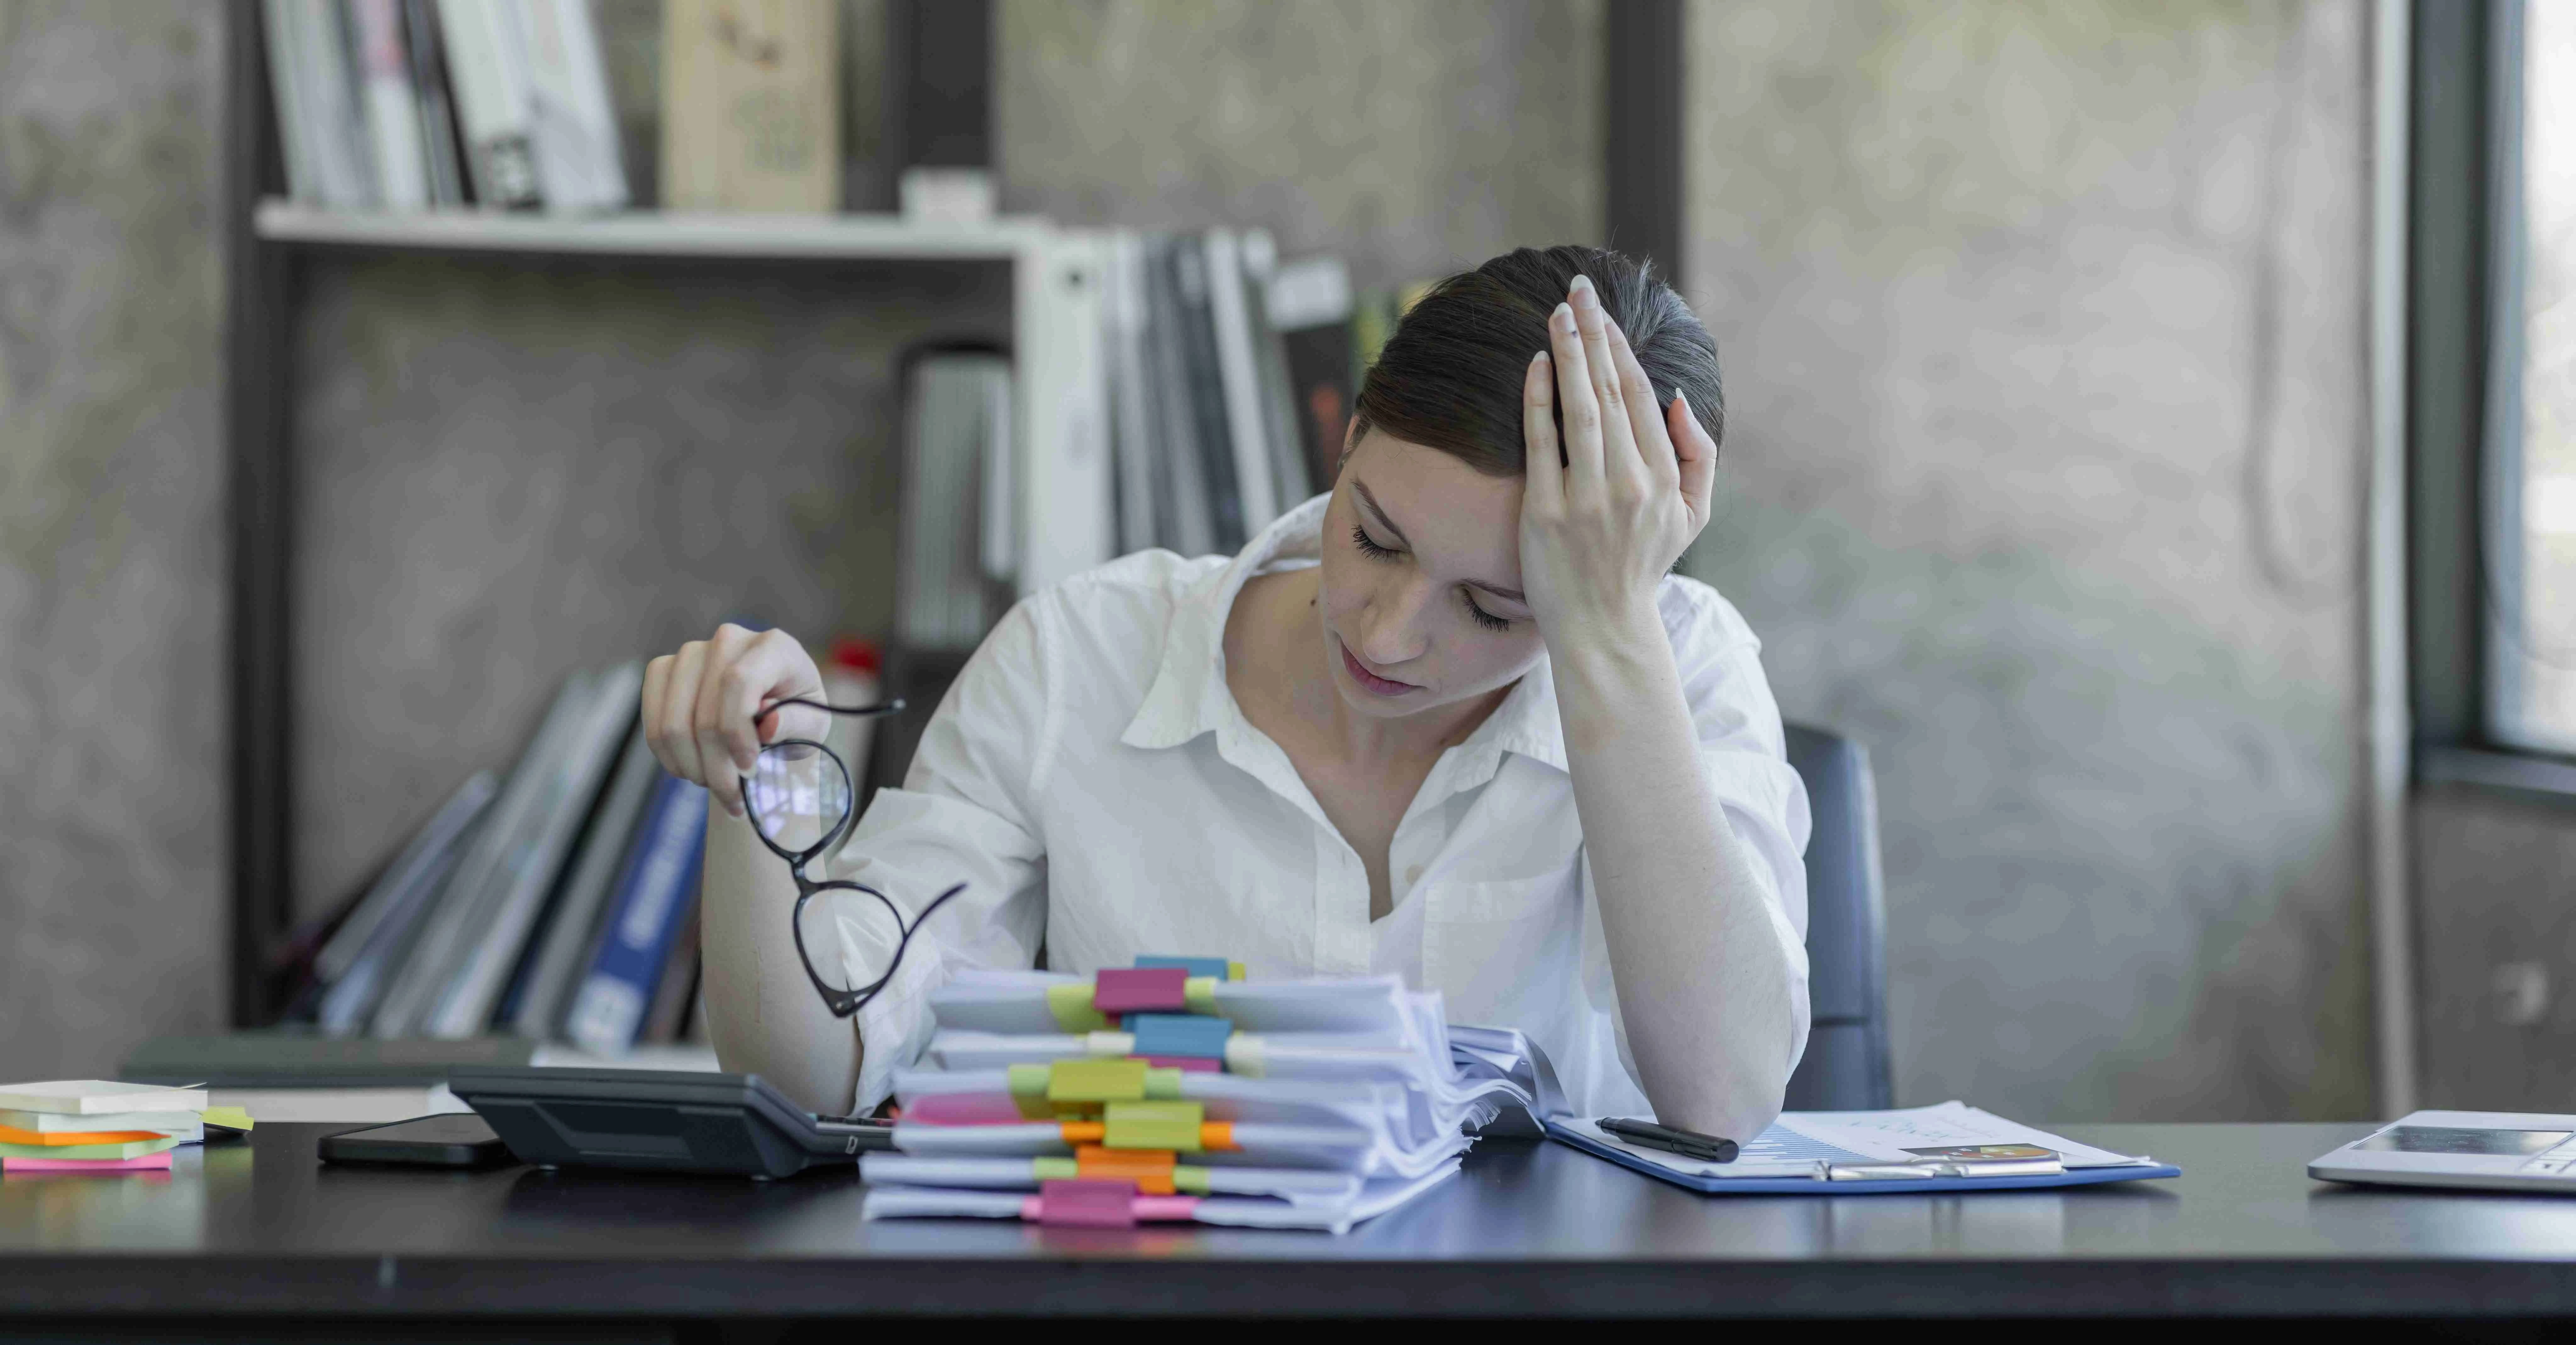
<point x="1704" y="986"/>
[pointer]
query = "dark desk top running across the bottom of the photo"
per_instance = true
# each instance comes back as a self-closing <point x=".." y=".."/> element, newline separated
<point x="1526" y="1230"/>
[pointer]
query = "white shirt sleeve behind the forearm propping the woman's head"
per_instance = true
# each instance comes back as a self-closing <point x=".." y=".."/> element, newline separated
<point x="1745" y="761"/>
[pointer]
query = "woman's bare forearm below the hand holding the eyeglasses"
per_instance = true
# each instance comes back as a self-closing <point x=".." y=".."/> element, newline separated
<point x="761" y="1009"/>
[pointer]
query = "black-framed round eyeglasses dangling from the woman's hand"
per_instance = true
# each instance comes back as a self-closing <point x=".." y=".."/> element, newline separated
<point x="800" y="803"/>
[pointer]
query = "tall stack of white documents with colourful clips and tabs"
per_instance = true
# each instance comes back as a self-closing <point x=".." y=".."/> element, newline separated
<point x="1179" y="1091"/>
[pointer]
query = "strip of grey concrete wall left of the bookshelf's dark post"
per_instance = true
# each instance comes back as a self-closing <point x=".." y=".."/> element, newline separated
<point x="112" y="607"/>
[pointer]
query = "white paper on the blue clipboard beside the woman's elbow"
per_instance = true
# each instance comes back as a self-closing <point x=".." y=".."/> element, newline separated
<point x="1804" y="1143"/>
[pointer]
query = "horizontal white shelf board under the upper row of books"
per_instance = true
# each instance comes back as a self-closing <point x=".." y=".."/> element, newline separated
<point x="661" y="233"/>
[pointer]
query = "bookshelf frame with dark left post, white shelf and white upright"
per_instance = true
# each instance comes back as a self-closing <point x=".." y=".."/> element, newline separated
<point x="1060" y="421"/>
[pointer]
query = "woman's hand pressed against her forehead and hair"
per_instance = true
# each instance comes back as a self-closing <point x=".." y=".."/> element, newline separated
<point x="1606" y="514"/>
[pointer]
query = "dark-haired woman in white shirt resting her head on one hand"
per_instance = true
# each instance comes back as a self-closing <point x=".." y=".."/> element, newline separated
<point x="1452" y="720"/>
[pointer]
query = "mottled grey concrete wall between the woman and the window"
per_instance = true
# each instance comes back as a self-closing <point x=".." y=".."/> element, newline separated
<point x="2047" y="362"/>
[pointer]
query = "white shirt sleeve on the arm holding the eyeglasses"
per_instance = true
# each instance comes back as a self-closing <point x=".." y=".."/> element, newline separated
<point x="962" y="818"/>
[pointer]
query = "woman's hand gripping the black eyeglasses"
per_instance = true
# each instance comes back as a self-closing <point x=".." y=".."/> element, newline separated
<point x="699" y="705"/>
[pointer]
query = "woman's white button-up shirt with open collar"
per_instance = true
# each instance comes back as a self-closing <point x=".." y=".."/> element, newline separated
<point x="1101" y="792"/>
